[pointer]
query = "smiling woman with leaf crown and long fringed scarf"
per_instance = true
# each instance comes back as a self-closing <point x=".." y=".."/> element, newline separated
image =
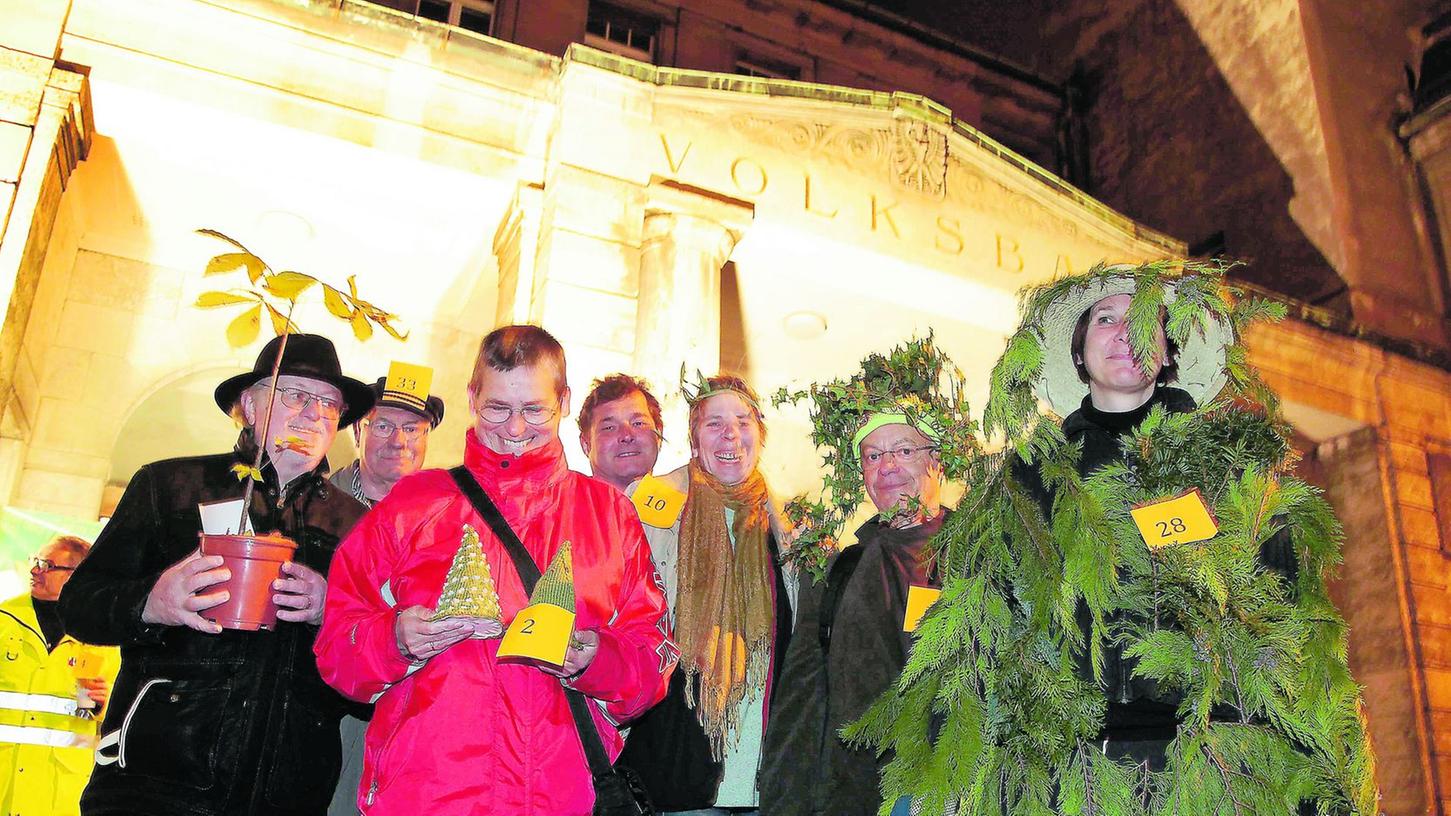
<point x="699" y="751"/>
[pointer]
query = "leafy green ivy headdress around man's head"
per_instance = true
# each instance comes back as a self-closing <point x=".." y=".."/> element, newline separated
<point x="916" y="380"/>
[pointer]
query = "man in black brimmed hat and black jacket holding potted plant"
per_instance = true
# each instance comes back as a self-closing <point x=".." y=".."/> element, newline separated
<point x="210" y="722"/>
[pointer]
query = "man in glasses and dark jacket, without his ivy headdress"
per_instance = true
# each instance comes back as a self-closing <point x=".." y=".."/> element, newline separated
<point x="855" y="631"/>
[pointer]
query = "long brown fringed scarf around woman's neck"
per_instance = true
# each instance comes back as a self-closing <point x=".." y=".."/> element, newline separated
<point x="725" y="606"/>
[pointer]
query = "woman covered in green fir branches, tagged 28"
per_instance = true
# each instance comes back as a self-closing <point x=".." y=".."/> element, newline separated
<point x="1072" y="669"/>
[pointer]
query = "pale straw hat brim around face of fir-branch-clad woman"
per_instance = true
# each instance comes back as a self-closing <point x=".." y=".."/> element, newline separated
<point x="1201" y="358"/>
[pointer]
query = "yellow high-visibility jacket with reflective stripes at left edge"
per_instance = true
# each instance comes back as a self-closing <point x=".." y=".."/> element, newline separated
<point x="47" y="748"/>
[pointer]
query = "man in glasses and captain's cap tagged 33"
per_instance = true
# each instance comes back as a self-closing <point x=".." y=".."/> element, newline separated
<point x="392" y="442"/>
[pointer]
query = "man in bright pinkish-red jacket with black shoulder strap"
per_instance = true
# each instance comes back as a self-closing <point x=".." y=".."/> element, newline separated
<point x="459" y="731"/>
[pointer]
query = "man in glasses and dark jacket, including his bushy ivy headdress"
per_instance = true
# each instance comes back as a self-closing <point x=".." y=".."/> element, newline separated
<point x="893" y="429"/>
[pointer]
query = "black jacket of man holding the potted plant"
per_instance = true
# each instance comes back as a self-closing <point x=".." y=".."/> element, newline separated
<point x="226" y="724"/>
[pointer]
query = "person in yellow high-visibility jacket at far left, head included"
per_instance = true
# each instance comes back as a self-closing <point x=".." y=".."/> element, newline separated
<point x="53" y="693"/>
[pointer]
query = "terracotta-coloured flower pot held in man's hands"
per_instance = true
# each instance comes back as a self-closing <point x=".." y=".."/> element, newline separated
<point x="256" y="563"/>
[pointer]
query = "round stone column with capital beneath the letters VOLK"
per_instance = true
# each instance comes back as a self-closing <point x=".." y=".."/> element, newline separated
<point x="688" y="237"/>
